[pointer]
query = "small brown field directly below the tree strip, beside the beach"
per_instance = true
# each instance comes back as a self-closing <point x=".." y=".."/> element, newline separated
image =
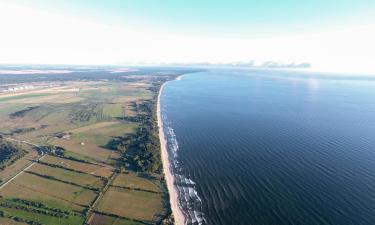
<point x="131" y="180"/>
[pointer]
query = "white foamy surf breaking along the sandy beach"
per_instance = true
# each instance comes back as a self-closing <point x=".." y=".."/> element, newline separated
<point x="189" y="200"/>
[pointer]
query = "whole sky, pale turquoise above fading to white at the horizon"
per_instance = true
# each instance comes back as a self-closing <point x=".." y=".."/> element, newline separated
<point x="332" y="35"/>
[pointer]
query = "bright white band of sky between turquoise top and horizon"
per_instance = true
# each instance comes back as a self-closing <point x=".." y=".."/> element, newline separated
<point x="31" y="36"/>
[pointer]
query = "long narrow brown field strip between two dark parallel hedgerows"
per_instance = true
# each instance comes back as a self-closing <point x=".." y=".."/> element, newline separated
<point x="102" y="170"/>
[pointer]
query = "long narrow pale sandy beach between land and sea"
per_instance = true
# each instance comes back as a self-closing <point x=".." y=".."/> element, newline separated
<point x="178" y="215"/>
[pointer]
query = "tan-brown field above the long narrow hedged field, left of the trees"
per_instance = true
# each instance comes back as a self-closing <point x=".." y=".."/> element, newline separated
<point x="89" y="150"/>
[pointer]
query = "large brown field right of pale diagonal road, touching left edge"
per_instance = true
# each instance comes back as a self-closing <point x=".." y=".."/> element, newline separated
<point x="31" y="186"/>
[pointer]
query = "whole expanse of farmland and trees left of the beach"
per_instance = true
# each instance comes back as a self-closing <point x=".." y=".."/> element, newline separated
<point x="82" y="148"/>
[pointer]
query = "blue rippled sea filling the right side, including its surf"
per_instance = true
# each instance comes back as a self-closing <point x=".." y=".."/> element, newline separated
<point x="273" y="147"/>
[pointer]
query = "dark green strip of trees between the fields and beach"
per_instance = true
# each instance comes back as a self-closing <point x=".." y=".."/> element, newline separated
<point x="140" y="151"/>
